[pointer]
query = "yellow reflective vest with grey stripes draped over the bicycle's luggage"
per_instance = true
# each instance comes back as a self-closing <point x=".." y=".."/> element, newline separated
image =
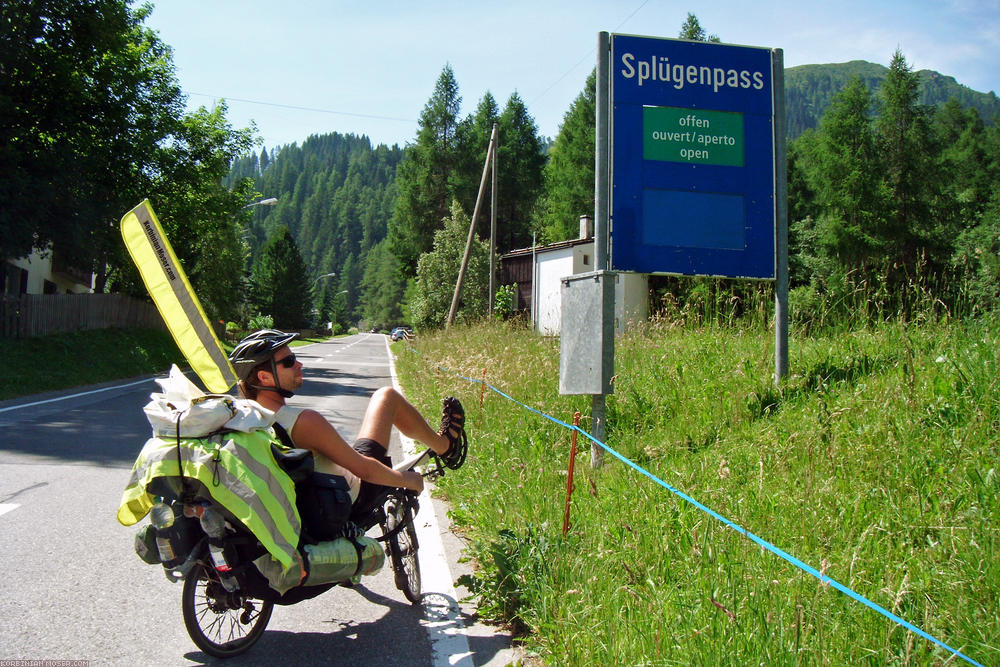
<point x="238" y="470"/>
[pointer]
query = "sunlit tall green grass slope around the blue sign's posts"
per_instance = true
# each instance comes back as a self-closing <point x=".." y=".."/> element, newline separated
<point x="875" y="462"/>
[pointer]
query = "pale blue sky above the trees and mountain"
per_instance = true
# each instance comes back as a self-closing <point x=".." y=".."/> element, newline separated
<point x="303" y="67"/>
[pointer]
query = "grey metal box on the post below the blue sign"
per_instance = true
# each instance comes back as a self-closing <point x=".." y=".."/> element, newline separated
<point x="586" y="359"/>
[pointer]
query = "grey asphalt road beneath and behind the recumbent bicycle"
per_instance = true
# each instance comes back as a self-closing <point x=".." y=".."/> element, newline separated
<point x="75" y="590"/>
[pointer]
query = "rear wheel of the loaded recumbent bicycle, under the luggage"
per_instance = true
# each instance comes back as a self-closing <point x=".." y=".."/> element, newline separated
<point x="220" y="623"/>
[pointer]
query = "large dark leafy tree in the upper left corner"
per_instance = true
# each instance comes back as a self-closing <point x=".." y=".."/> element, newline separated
<point x="87" y="95"/>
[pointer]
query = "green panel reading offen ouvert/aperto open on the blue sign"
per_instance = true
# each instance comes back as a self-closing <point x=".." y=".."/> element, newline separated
<point x="692" y="136"/>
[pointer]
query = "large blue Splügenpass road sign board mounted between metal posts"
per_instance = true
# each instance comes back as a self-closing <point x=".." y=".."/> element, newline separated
<point x="692" y="178"/>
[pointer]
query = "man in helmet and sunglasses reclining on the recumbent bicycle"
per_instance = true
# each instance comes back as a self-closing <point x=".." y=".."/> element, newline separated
<point x="269" y="373"/>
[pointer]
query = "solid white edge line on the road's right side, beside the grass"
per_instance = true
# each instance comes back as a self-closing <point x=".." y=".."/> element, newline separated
<point x="442" y="617"/>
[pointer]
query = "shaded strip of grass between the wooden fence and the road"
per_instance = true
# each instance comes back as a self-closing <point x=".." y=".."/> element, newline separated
<point x="63" y="361"/>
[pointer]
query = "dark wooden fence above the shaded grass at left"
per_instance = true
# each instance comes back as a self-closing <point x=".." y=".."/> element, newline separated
<point x="30" y="315"/>
